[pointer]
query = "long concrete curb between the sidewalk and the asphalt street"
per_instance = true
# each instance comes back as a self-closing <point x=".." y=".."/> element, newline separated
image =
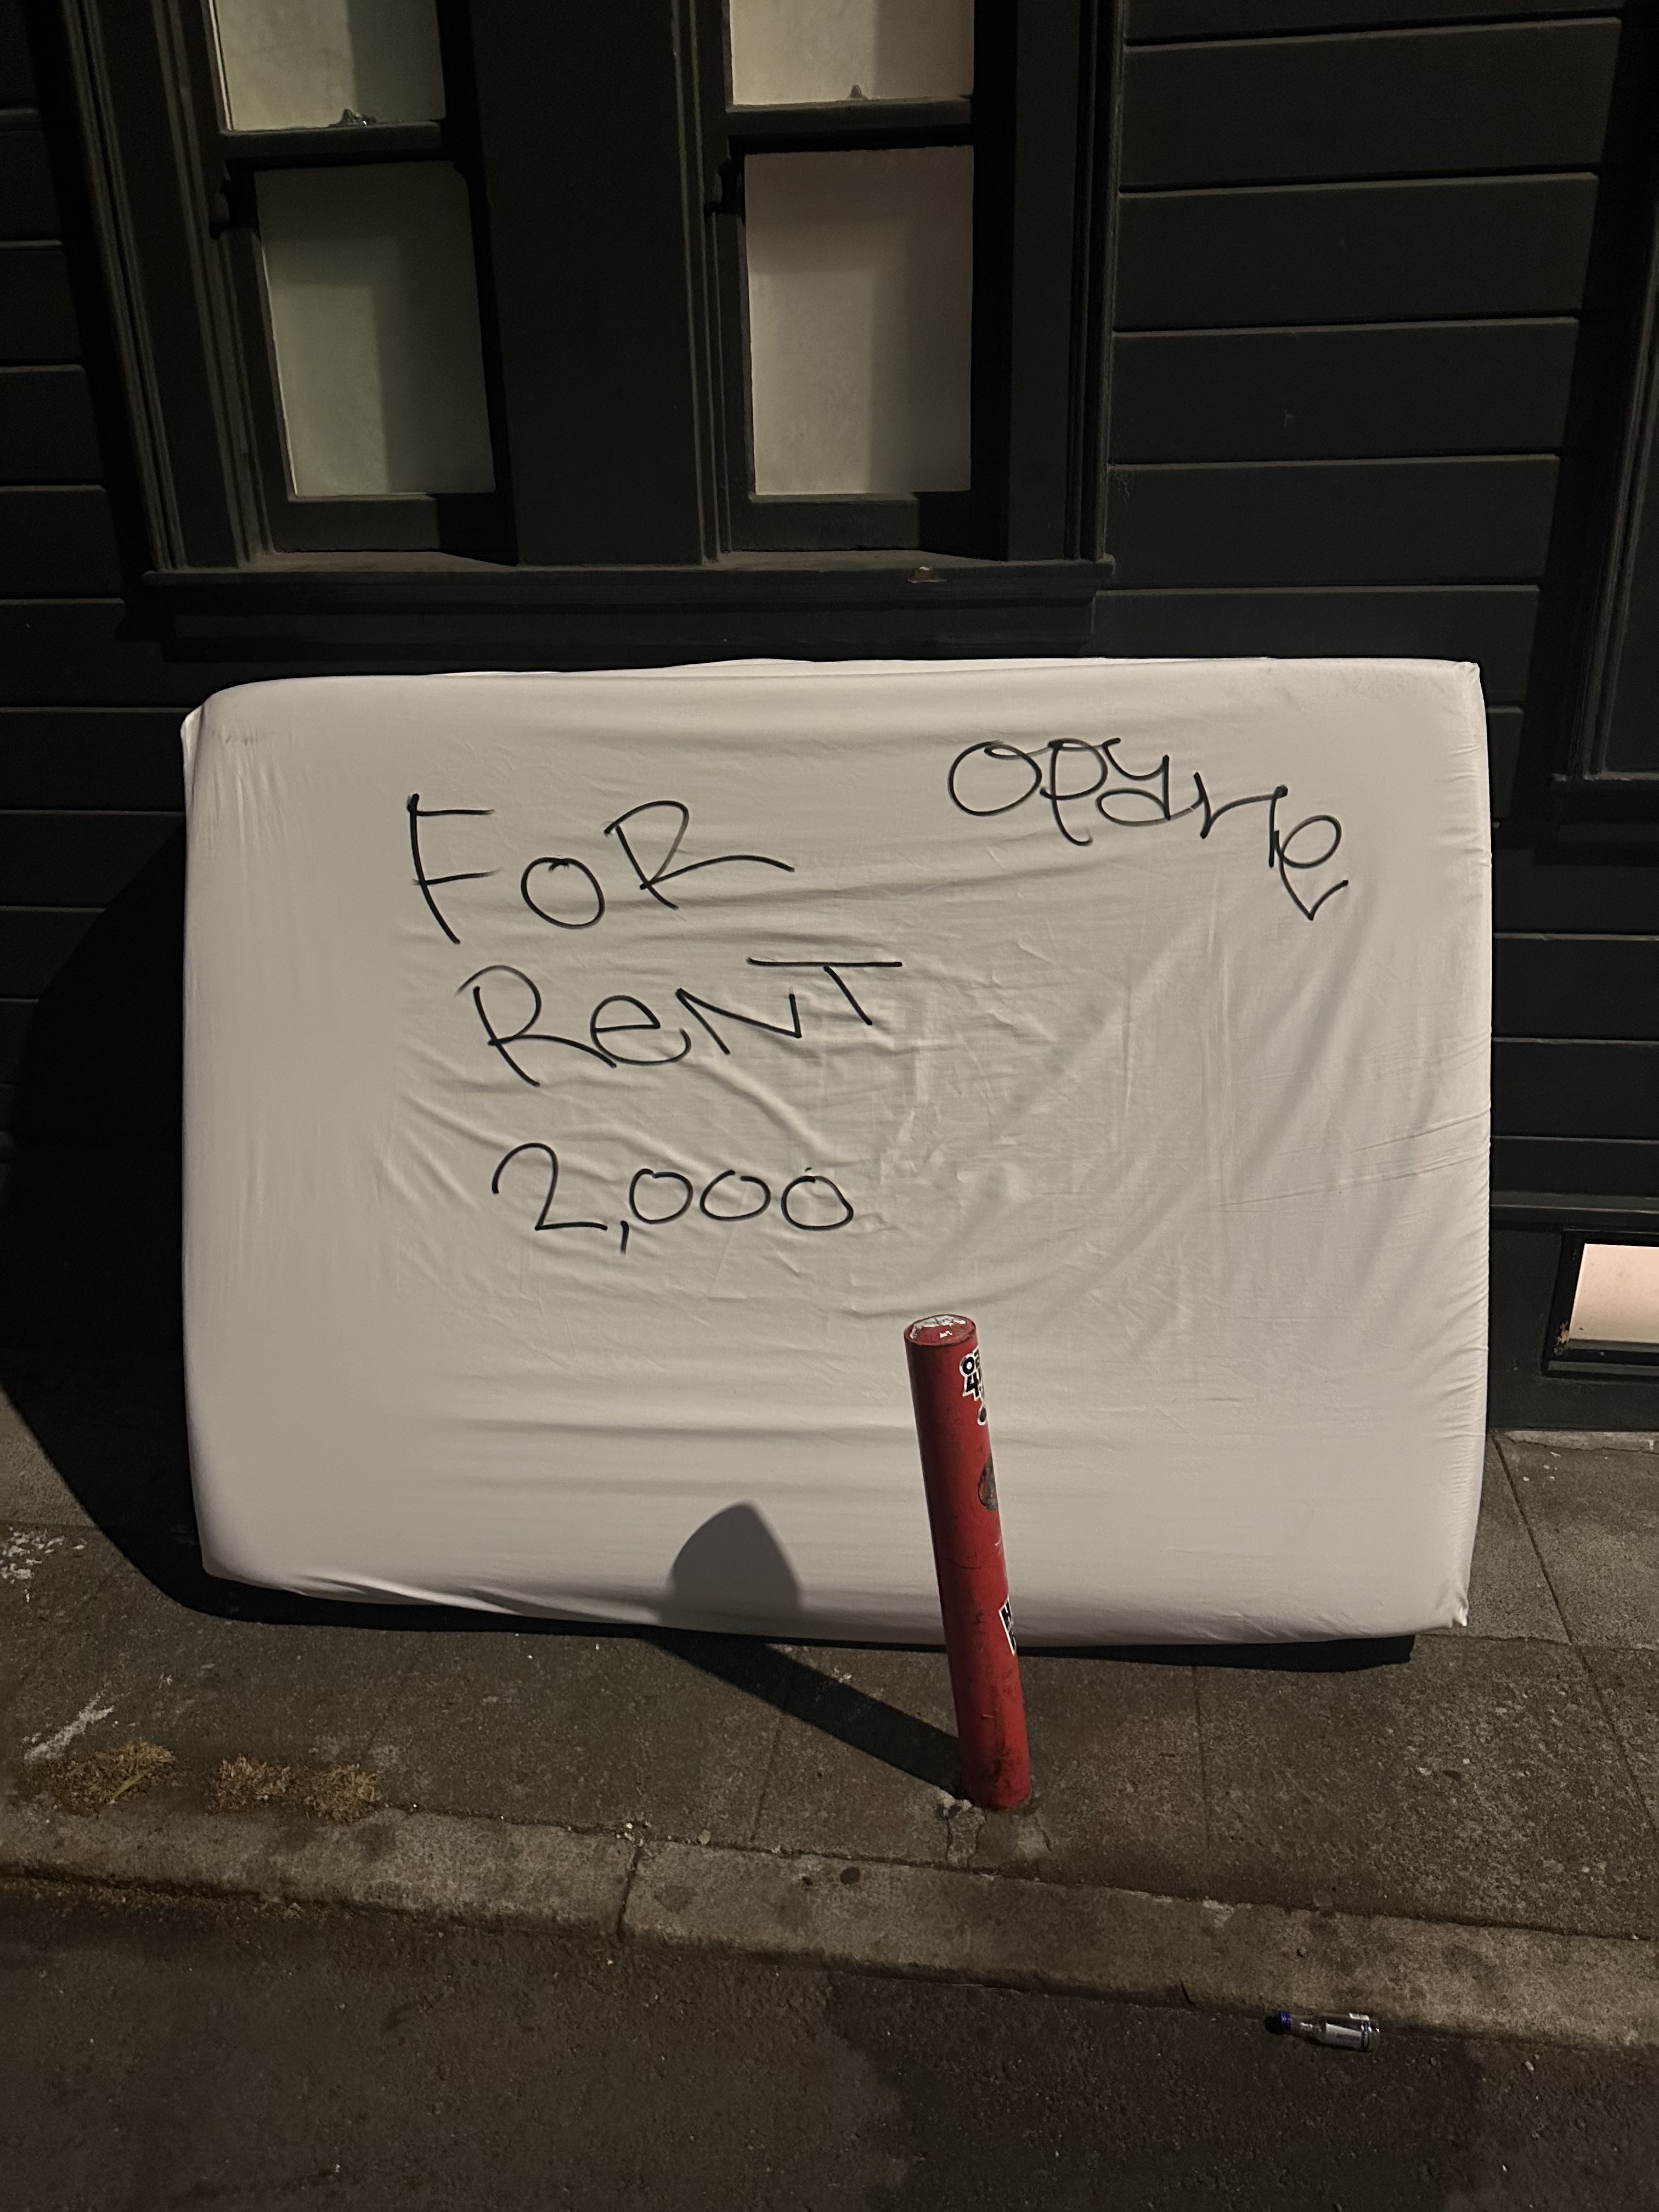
<point x="875" y="1917"/>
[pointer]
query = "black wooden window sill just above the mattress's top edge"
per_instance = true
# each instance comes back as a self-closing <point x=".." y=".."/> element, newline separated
<point x="432" y="612"/>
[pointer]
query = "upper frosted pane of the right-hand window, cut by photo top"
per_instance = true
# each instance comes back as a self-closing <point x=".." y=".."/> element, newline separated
<point x="795" y="52"/>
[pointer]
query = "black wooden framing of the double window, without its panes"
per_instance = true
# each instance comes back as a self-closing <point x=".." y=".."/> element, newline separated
<point x="592" y="178"/>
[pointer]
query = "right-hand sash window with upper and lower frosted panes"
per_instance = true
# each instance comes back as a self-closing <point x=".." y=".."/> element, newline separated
<point x="857" y="176"/>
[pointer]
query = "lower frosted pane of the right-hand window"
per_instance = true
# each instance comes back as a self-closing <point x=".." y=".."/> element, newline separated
<point x="862" y="311"/>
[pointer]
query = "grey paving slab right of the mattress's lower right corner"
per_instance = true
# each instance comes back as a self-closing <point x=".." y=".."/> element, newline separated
<point x="1596" y="1523"/>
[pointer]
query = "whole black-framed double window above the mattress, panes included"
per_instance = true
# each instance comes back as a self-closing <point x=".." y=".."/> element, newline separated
<point x="649" y="286"/>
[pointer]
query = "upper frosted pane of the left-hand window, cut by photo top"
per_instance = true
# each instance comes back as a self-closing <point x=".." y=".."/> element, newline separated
<point x="302" y="63"/>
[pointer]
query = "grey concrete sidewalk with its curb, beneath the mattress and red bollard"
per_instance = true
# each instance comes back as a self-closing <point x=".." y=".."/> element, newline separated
<point x="1468" y="1826"/>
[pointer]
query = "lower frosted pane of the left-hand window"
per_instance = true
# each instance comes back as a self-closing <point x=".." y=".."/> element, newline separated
<point x="375" y="320"/>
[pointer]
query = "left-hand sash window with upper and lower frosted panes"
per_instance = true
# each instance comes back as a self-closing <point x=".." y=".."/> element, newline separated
<point x="353" y="249"/>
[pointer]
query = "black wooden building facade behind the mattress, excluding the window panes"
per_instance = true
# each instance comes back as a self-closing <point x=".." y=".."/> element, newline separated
<point x="1300" y="328"/>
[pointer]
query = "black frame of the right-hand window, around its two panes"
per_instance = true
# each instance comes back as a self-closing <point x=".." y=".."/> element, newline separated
<point x="1039" y="291"/>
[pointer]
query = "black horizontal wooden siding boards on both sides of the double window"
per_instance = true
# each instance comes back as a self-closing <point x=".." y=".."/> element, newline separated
<point x="1350" y="260"/>
